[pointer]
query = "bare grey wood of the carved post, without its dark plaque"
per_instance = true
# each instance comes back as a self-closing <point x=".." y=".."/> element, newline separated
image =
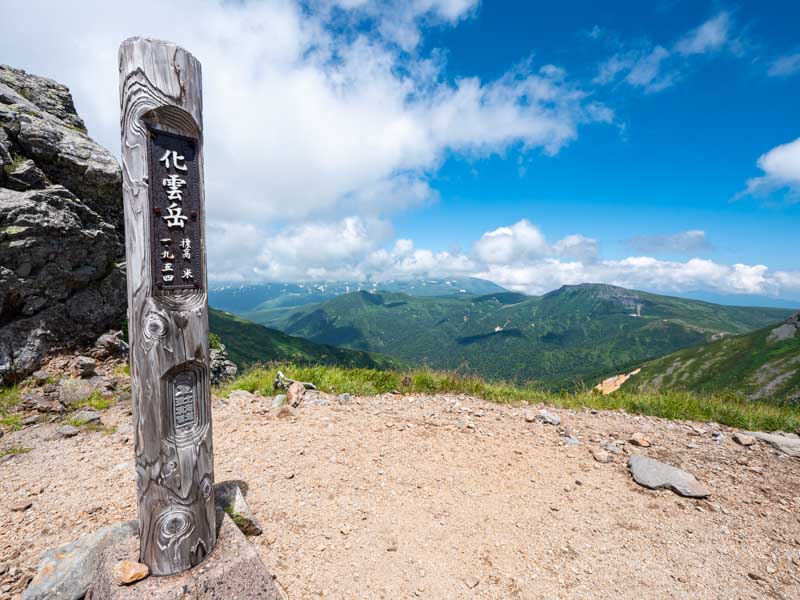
<point x="161" y="88"/>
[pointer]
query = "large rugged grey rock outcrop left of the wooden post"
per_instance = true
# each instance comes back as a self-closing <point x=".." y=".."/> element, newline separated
<point x="62" y="281"/>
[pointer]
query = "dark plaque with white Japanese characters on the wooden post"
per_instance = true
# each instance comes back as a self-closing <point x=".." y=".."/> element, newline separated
<point x="175" y="215"/>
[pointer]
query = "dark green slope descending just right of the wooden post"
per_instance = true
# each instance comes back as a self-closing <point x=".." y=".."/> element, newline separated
<point x="250" y="343"/>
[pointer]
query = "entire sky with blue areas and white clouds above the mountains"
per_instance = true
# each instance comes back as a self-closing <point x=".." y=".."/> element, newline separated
<point x="654" y="145"/>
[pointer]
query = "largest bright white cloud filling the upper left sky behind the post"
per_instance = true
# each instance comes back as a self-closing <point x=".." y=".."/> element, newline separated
<point x="308" y="114"/>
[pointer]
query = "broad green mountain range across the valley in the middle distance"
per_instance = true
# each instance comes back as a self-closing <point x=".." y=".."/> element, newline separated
<point x="574" y="333"/>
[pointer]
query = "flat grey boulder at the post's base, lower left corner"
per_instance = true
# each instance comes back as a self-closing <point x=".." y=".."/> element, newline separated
<point x="66" y="572"/>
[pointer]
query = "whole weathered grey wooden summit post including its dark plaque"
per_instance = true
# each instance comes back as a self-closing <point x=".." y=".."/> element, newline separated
<point x="162" y="169"/>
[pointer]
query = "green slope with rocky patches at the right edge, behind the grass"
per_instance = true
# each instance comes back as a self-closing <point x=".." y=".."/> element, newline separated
<point x="761" y="365"/>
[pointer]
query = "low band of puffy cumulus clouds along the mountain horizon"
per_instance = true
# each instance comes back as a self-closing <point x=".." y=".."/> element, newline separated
<point x="517" y="256"/>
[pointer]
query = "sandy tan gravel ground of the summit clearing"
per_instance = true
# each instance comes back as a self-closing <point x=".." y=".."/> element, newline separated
<point x="445" y="497"/>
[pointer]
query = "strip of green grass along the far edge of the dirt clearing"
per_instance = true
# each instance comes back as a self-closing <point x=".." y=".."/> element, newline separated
<point x="727" y="409"/>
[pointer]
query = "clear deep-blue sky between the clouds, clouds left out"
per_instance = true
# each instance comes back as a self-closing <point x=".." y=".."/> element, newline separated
<point x="684" y="152"/>
